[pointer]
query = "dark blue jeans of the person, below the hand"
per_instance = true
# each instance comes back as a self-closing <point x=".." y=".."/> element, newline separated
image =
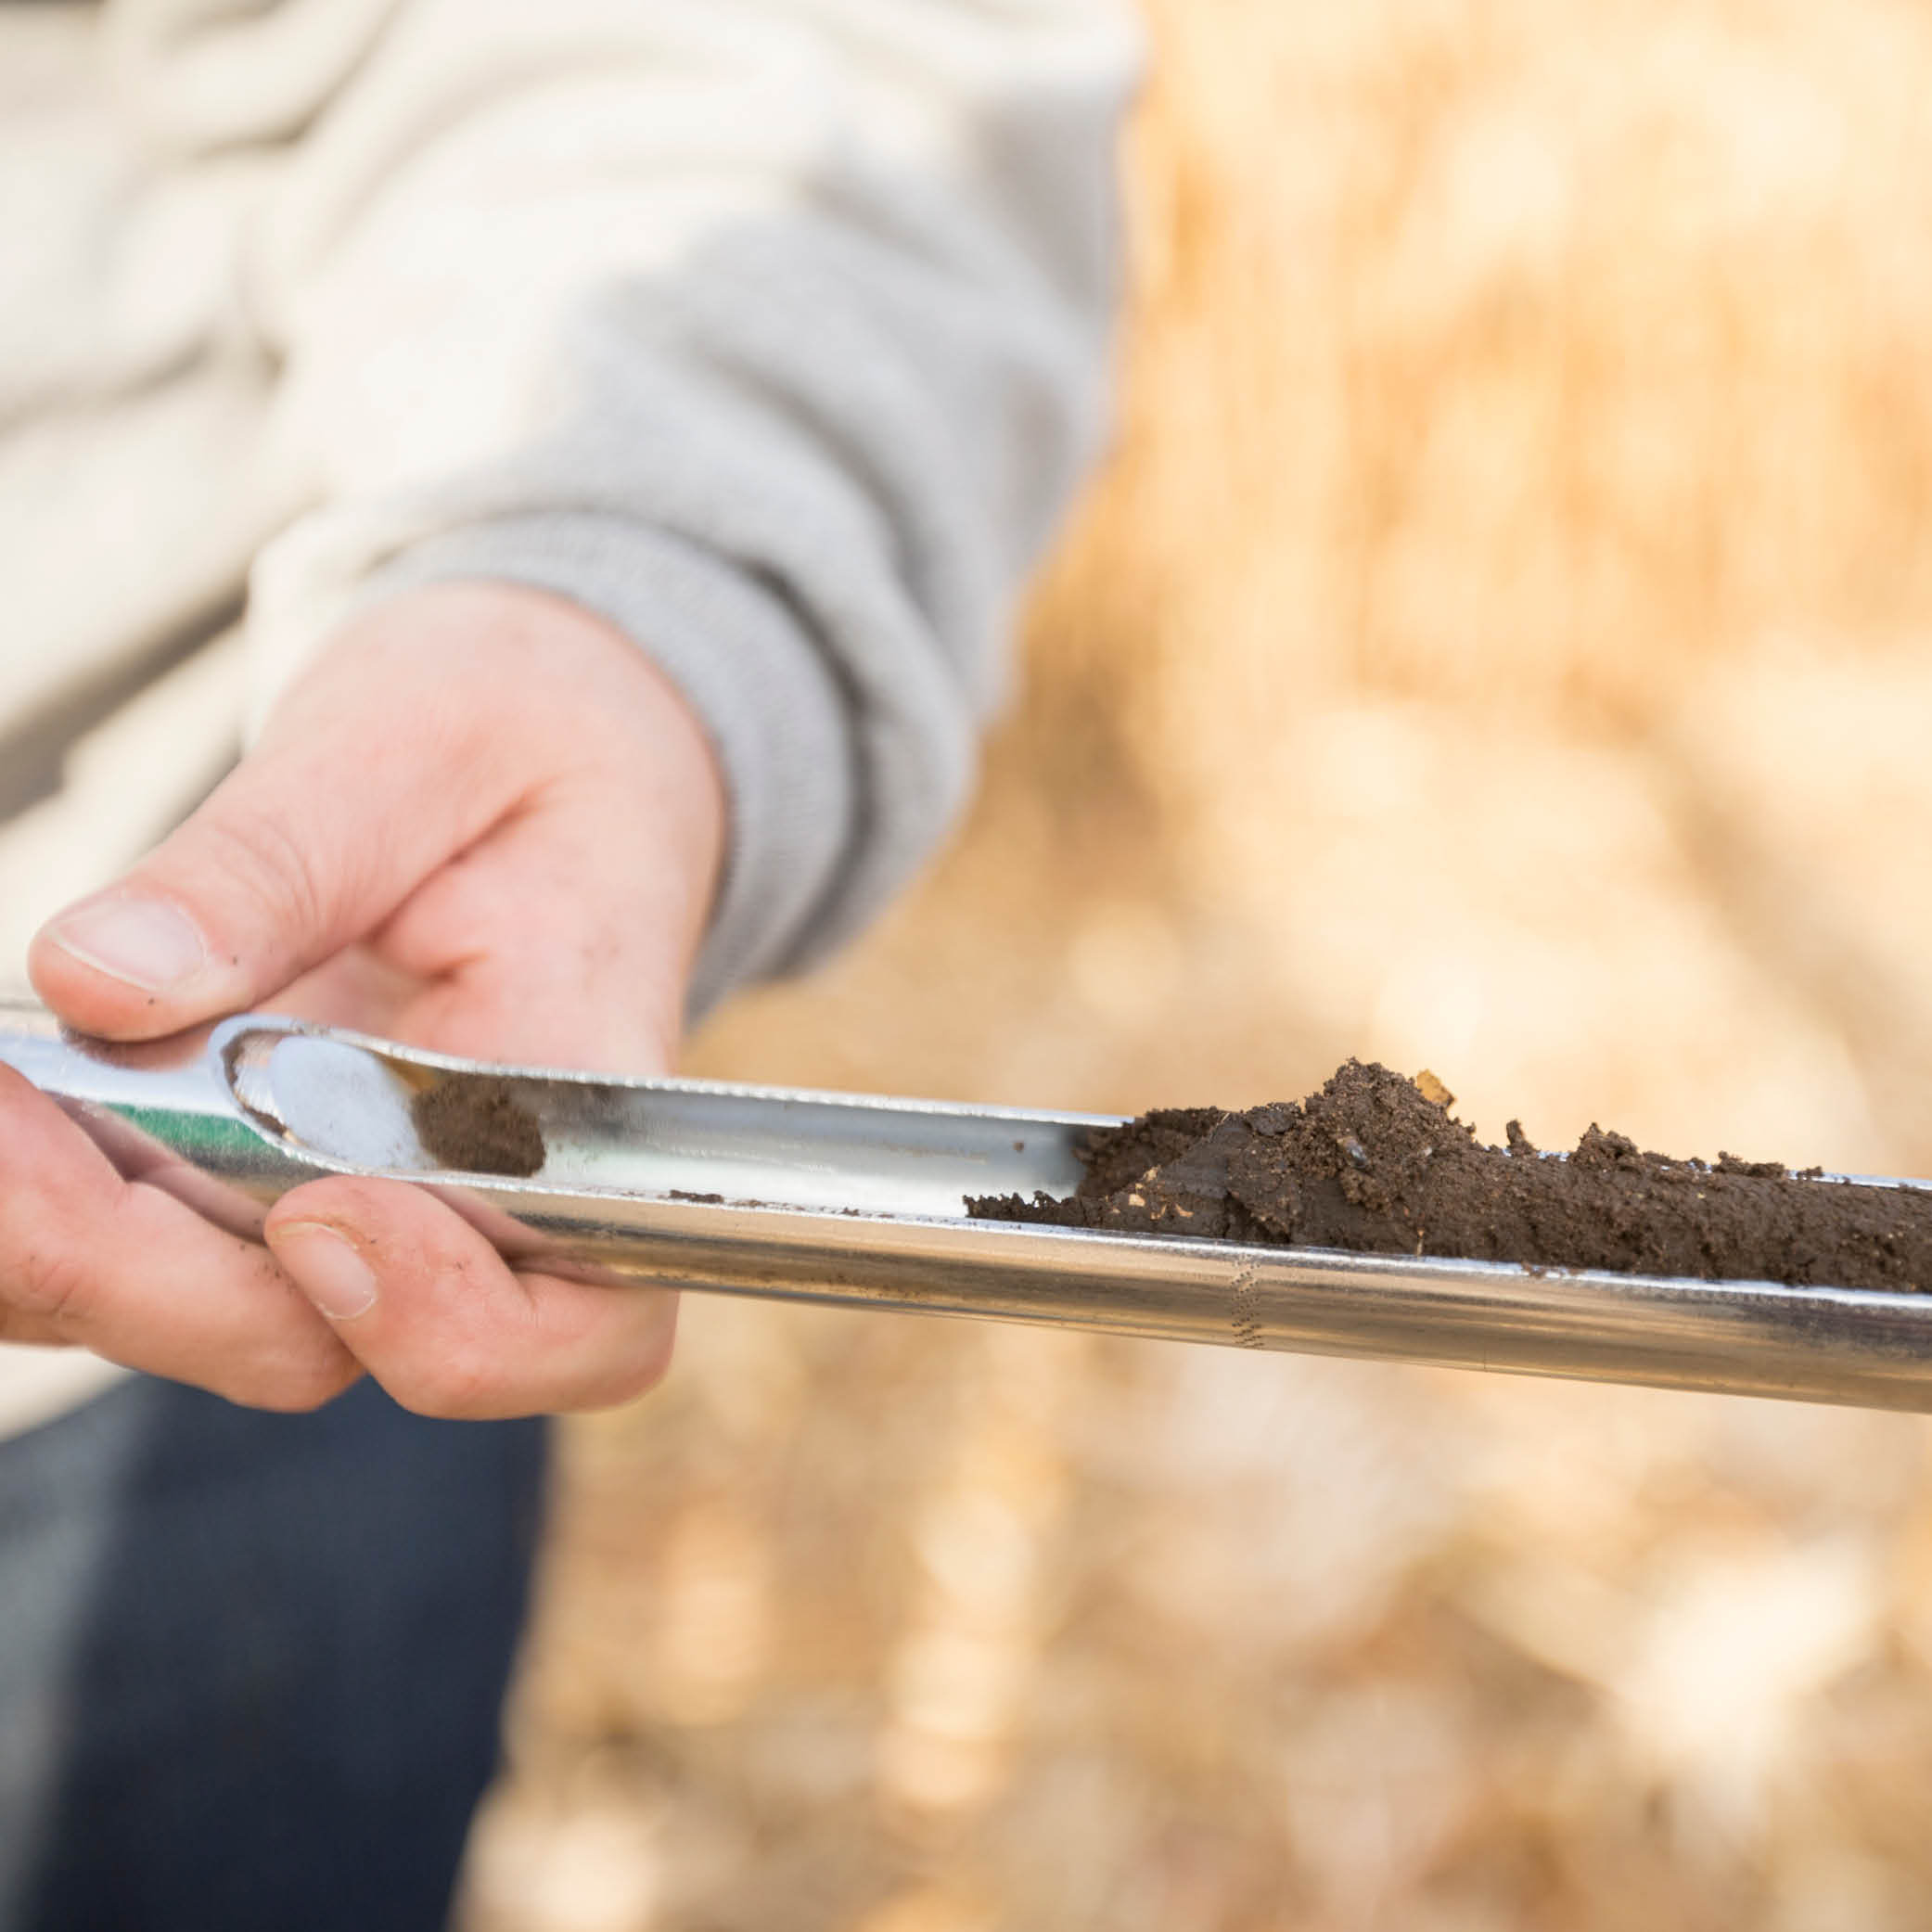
<point x="252" y="1666"/>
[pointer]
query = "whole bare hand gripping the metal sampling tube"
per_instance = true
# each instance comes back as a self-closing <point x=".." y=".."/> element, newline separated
<point x="482" y="824"/>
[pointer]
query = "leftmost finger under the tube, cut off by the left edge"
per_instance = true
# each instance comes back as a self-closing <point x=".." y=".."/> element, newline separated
<point x="136" y="1276"/>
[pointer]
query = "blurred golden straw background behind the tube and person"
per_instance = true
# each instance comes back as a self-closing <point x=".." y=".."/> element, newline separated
<point x="1502" y="642"/>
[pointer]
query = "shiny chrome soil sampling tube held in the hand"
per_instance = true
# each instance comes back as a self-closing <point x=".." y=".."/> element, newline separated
<point x="861" y="1201"/>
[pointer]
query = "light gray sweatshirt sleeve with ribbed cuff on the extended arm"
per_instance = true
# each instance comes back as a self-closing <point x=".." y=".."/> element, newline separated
<point x="776" y="333"/>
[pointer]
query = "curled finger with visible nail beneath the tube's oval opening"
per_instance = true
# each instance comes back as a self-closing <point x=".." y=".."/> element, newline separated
<point x="432" y="1311"/>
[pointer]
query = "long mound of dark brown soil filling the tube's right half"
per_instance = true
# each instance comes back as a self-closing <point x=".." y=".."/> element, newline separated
<point x="1377" y="1166"/>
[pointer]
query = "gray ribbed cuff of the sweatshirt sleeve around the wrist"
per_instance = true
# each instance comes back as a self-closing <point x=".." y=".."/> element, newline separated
<point x="751" y="671"/>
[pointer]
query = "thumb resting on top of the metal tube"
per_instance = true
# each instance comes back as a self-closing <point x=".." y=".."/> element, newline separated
<point x="306" y="847"/>
